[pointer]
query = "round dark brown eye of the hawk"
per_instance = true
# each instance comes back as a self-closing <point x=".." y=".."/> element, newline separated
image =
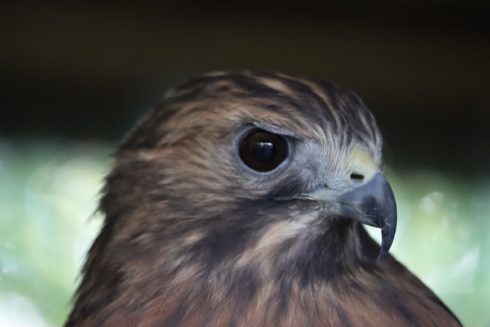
<point x="263" y="151"/>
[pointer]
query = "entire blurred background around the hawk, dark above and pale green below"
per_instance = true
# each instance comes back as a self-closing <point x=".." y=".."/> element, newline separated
<point x="75" y="76"/>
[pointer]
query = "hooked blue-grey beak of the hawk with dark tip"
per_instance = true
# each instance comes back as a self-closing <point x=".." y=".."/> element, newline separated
<point x="373" y="204"/>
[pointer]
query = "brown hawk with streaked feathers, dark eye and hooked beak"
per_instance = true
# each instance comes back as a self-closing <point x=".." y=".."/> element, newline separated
<point x="238" y="201"/>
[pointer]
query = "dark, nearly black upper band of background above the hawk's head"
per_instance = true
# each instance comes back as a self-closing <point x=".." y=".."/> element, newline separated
<point x="86" y="71"/>
